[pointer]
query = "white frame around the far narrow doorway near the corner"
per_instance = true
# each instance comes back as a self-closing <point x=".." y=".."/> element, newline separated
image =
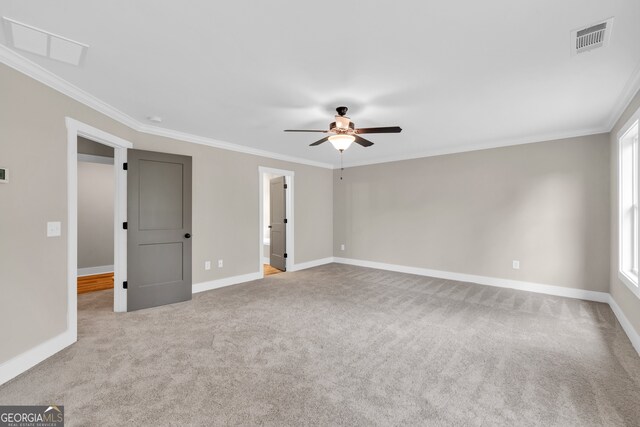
<point x="288" y="179"/>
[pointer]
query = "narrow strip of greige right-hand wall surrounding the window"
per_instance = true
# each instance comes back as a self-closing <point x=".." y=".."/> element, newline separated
<point x="628" y="302"/>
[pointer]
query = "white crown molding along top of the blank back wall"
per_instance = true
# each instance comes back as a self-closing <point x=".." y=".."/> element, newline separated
<point x="480" y="146"/>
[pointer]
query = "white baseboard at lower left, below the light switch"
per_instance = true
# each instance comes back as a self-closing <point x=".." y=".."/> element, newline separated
<point x="27" y="360"/>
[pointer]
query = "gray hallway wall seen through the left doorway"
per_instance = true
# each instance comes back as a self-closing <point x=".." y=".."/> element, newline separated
<point x="95" y="214"/>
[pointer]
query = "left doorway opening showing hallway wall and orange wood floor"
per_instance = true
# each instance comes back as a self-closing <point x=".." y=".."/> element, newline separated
<point x="96" y="204"/>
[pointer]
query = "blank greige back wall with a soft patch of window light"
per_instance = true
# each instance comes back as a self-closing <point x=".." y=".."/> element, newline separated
<point x="545" y="204"/>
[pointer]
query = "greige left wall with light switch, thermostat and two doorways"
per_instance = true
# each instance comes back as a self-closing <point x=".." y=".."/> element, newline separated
<point x="33" y="268"/>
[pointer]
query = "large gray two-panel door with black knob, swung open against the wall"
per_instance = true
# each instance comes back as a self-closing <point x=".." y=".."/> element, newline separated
<point x="158" y="229"/>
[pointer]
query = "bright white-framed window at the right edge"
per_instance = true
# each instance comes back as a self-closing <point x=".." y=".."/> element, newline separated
<point x="628" y="204"/>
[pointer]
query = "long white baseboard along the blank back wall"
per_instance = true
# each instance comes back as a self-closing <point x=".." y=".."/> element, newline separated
<point x="483" y="280"/>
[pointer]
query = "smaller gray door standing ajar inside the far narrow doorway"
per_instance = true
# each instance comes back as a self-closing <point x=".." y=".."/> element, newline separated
<point x="278" y="211"/>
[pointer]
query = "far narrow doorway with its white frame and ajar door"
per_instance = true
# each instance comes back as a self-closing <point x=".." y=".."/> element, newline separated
<point x="276" y="220"/>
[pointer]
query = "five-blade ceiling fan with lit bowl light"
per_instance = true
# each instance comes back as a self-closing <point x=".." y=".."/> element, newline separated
<point x="343" y="132"/>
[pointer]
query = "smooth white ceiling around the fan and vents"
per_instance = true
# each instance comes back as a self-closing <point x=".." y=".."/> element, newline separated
<point x="454" y="75"/>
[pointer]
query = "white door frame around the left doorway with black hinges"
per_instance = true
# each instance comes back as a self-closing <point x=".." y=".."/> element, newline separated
<point x="120" y="146"/>
